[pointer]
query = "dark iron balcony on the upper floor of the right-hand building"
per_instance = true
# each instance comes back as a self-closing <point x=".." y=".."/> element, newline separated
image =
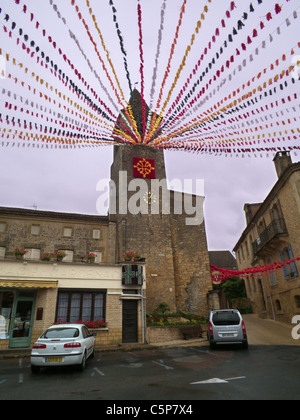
<point x="269" y="237"/>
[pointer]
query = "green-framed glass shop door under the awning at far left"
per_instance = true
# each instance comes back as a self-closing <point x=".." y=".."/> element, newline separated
<point x="22" y="320"/>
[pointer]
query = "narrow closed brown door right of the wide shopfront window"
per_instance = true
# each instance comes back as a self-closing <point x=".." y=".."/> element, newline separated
<point x="130" y="321"/>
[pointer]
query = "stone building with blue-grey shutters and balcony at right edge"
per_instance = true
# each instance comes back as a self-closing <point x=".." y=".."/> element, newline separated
<point x="273" y="234"/>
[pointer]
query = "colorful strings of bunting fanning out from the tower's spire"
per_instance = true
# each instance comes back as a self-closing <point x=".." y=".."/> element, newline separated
<point x="57" y="103"/>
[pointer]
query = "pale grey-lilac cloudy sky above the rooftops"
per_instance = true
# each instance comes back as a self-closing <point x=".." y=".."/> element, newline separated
<point x="65" y="179"/>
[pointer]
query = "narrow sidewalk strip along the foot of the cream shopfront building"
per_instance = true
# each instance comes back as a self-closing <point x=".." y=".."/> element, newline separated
<point x="17" y="353"/>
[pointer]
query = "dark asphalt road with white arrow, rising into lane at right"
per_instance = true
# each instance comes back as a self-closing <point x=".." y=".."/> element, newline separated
<point x="269" y="370"/>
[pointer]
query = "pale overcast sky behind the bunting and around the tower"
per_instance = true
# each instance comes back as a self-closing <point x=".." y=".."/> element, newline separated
<point x="65" y="179"/>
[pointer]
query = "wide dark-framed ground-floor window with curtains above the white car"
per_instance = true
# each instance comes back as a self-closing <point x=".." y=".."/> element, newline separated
<point x="80" y="305"/>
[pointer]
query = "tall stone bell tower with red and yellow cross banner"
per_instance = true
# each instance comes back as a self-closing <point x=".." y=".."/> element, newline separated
<point x="177" y="261"/>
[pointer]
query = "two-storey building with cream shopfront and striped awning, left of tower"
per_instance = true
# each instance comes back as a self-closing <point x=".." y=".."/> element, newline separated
<point x="35" y="293"/>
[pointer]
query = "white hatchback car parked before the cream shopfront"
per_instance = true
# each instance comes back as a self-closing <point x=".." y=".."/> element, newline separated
<point x="61" y="345"/>
